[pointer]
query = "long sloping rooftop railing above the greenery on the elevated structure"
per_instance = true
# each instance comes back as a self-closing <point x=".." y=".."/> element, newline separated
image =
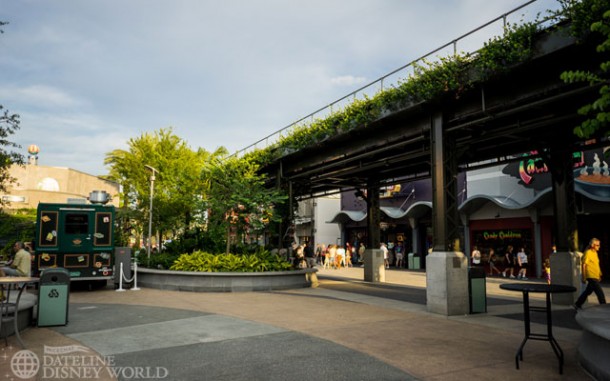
<point x="467" y="43"/>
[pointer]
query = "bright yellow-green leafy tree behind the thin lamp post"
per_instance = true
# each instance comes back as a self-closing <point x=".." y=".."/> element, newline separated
<point x="177" y="184"/>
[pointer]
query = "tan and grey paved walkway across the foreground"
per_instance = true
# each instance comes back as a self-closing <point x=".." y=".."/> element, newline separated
<point x="345" y="329"/>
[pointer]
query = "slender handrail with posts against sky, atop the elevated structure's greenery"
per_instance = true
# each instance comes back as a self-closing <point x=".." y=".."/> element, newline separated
<point x="381" y="79"/>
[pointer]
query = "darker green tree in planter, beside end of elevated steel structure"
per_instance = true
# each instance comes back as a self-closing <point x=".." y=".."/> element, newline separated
<point x="236" y="200"/>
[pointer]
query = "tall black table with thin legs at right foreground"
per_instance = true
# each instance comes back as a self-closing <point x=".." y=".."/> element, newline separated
<point x="549" y="289"/>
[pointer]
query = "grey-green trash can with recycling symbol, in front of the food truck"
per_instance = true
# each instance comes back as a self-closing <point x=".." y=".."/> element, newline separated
<point x="53" y="293"/>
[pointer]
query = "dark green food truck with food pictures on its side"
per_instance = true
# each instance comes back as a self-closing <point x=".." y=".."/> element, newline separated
<point x="76" y="236"/>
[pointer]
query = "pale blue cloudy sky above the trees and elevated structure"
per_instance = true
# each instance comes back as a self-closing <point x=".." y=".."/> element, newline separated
<point x="87" y="76"/>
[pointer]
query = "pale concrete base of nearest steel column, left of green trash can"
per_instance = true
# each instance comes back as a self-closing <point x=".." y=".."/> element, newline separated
<point x="447" y="283"/>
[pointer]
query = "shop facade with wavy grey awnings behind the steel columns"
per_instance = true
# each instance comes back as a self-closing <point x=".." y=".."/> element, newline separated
<point x="500" y="205"/>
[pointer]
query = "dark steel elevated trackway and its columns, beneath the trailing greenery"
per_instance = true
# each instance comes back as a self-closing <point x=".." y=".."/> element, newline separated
<point x="528" y="110"/>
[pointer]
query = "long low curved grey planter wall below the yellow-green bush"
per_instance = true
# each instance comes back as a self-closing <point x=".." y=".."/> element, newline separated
<point x="225" y="282"/>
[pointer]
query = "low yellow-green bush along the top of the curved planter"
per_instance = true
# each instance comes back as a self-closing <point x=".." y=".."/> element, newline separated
<point x="205" y="262"/>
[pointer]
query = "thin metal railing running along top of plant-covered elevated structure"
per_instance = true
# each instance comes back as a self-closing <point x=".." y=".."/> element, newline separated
<point x="378" y="85"/>
